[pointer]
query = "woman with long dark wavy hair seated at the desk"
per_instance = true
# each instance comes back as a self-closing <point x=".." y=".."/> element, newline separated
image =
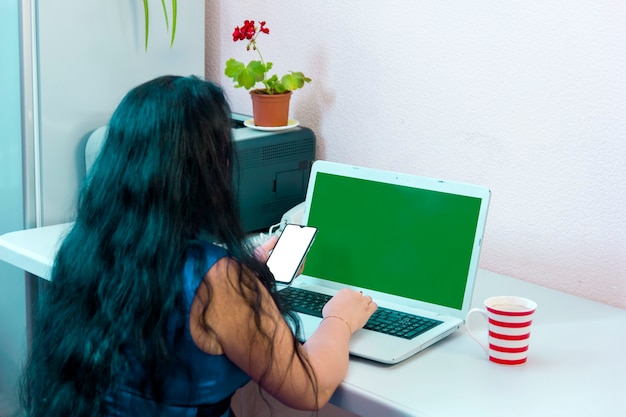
<point x="157" y="306"/>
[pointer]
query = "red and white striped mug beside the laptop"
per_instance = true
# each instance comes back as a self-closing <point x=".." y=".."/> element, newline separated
<point x="509" y="319"/>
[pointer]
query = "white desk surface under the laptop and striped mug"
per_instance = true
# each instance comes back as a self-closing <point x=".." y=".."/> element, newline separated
<point x="576" y="364"/>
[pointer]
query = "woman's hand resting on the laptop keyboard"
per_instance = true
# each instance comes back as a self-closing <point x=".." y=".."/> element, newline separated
<point x="353" y="307"/>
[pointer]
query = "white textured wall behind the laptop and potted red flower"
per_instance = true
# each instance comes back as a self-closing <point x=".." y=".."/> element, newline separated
<point x="526" y="97"/>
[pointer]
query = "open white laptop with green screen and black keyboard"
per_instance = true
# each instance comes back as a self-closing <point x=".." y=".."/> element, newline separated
<point x="411" y="243"/>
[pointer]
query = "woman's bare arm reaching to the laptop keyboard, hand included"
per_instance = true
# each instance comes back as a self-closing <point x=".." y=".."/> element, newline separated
<point x="236" y="334"/>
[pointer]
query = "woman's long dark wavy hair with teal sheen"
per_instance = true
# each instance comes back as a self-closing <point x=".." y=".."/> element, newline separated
<point x="162" y="181"/>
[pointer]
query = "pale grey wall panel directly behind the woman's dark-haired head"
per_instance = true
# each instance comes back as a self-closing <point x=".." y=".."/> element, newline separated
<point x="90" y="53"/>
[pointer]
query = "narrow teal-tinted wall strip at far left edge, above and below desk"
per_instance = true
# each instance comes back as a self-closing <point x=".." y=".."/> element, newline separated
<point x="12" y="284"/>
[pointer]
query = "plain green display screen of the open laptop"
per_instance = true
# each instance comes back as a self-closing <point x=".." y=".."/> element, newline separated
<point x="396" y="239"/>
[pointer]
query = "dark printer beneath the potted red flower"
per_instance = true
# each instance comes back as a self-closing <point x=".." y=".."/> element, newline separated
<point x="272" y="171"/>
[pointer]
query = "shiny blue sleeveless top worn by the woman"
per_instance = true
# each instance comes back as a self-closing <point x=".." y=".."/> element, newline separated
<point x="202" y="385"/>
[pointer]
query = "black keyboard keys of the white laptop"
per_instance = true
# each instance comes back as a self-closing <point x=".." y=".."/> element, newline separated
<point x="384" y="320"/>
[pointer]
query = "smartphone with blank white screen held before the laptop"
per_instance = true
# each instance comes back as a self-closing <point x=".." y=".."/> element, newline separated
<point x="290" y="250"/>
